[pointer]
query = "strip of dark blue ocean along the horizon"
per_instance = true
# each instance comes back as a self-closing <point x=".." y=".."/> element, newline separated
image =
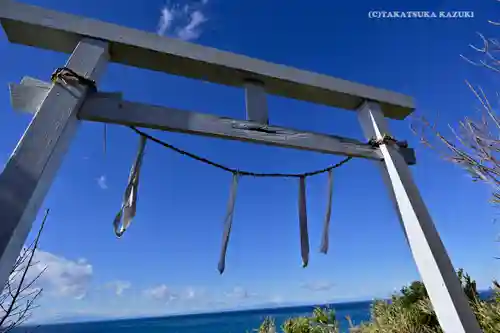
<point x="225" y="322"/>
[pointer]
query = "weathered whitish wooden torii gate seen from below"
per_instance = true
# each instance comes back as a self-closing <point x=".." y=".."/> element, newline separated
<point x="59" y="106"/>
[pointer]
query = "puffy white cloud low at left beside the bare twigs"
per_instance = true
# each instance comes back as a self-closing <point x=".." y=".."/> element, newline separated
<point x="62" y="277"/>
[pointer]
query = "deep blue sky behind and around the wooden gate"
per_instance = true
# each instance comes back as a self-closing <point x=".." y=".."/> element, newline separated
<point x="167" y="260"/>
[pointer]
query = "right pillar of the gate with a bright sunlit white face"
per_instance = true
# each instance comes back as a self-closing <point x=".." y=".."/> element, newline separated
<point x="438" y="275"/>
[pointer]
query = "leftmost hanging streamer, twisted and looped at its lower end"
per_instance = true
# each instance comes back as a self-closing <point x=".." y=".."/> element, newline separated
<point x="128" y="209"/>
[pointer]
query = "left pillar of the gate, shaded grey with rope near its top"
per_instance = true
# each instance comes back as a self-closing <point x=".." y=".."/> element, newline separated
<point x="31" y="168"/>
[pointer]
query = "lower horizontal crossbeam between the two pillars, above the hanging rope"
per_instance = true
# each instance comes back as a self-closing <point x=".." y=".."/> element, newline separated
<point x="116" y="111"/>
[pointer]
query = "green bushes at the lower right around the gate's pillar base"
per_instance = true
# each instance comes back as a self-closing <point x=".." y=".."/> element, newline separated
<point x="409" y="311"/>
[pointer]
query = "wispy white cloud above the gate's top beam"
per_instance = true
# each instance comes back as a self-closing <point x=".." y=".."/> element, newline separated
<point x="182" y="21"/>
